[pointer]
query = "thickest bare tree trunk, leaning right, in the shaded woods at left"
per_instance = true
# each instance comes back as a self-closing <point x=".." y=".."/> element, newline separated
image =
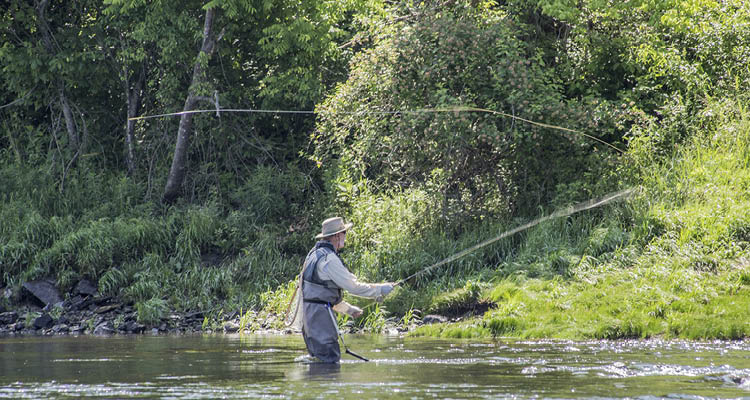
<point x="177" y="171"/>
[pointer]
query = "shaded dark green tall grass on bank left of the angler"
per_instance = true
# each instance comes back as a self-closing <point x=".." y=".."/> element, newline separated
<point x="221" y="252"/>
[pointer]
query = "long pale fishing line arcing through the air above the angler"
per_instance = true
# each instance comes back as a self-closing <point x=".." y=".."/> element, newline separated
<point x="417" y="111"/>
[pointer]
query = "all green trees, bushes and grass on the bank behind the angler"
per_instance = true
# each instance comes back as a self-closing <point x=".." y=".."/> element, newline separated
<point x="436" y="125"/>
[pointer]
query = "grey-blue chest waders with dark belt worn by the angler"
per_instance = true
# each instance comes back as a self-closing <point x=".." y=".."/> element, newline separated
<point x="319" y="327"/>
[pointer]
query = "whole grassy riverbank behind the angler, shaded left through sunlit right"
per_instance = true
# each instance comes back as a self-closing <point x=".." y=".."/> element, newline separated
<point x="672" y="261"/>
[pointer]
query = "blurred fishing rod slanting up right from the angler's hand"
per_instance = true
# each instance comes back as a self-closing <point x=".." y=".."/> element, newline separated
<point x="586" y="205"/>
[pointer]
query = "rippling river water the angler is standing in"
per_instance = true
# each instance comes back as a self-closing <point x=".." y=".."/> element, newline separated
<point x="233" y="366"/>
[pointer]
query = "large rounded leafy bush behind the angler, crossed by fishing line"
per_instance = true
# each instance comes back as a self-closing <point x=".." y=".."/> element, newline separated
<point x="474" y="164"/>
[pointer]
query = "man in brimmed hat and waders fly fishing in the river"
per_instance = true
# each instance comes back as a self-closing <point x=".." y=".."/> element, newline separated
<point x="323" y="277"/>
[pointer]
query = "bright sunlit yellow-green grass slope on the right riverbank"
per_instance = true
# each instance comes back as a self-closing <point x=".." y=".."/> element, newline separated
<point x="673" y="262"/>
